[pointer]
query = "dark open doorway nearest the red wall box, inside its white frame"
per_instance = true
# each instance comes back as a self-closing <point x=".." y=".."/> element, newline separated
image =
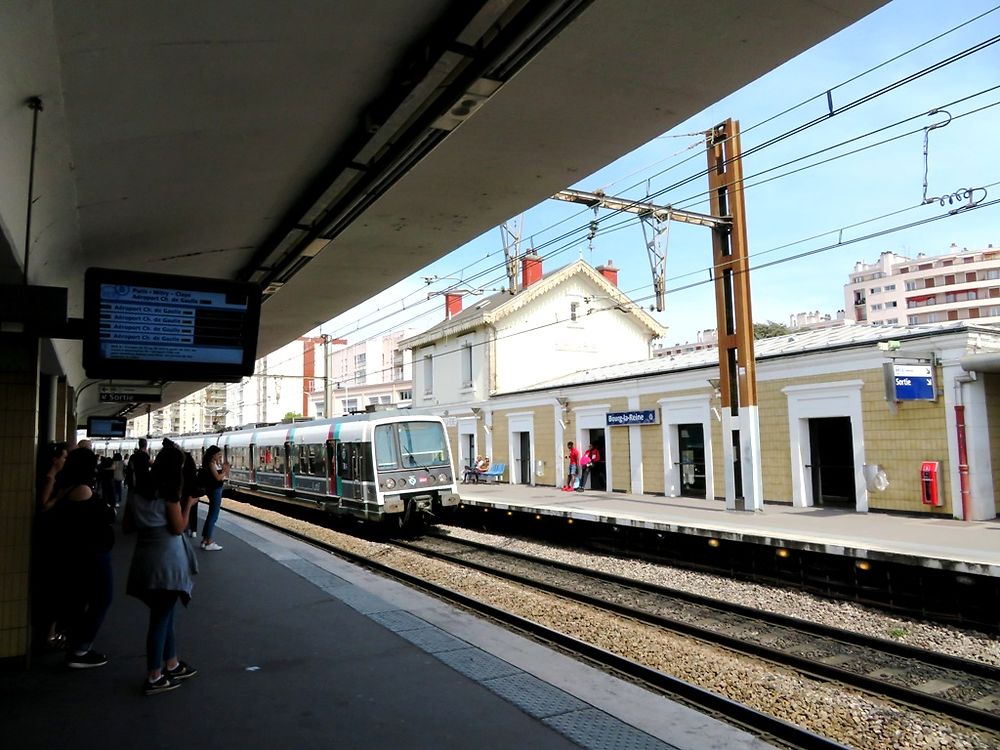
<point x="831" y="459"/>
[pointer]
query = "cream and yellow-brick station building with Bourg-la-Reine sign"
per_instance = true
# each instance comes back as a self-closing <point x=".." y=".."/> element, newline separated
<point x="833" y="433"/>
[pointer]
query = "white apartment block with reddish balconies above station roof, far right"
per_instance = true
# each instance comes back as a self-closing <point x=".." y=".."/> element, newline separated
<point x="898" y="290"/>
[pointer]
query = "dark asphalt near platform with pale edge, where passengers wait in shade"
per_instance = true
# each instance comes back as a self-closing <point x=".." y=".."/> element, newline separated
<point x="296" y="648"/>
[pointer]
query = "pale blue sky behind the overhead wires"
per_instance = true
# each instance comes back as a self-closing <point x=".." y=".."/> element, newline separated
<point x="846" y="191"/>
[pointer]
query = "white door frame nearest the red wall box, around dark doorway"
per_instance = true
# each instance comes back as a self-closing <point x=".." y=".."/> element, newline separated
<point x="817" y="401"/>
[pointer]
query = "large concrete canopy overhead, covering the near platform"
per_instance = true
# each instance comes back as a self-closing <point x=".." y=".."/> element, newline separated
<point x="249" y="139"/>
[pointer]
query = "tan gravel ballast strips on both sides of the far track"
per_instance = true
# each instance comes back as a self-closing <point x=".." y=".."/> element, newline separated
<point x="851" y="718"/>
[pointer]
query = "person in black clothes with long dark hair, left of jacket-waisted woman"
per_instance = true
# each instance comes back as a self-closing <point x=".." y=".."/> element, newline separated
<point x="85" y="531"/>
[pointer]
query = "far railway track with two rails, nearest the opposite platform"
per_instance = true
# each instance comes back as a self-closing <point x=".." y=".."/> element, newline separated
<point x="955" y="688"/>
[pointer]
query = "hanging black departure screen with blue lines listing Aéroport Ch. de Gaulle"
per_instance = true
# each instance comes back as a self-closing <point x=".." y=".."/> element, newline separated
<point x="169" y="327"/>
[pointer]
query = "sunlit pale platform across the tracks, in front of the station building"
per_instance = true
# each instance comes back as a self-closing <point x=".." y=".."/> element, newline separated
<point x="932" y="542"/>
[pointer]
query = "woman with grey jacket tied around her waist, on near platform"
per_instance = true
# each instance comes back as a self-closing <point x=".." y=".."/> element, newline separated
<point x="162" y="568"/>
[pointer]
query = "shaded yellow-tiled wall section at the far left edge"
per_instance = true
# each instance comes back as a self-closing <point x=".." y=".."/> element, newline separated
<point x="18" y="436"/>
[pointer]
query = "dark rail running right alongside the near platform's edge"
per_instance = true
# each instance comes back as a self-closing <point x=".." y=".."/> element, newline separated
<point x="769" y="728"/>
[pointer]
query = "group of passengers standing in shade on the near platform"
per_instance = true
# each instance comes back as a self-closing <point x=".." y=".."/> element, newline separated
<point x="79" y="504"/>
